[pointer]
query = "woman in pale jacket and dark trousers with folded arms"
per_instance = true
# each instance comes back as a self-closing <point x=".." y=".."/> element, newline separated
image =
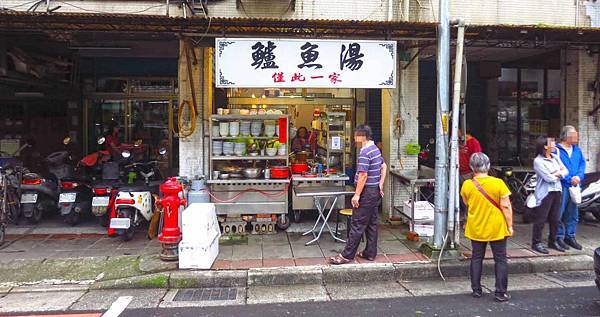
<point x="548" y="191"/>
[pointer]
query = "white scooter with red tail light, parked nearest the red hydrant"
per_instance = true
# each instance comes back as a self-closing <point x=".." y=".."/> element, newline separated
<point x="135" y="203"/>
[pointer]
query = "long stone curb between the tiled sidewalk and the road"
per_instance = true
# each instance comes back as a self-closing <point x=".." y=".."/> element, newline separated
<point x="351" y="273"/>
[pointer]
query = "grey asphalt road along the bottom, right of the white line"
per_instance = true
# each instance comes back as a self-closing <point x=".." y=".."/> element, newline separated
<point x="580" y="301"/>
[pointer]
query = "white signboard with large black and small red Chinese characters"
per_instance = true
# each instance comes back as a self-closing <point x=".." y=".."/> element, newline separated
<point x="299" y="63"/>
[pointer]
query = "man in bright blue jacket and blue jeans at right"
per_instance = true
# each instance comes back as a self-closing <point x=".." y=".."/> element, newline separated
<point x="572" y="158"/>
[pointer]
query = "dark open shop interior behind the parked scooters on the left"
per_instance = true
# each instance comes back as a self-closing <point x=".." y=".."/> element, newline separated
<point x="62" y="93"/>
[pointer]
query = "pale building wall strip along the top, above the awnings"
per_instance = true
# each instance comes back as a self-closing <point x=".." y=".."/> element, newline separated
<point x="530" y="12"/>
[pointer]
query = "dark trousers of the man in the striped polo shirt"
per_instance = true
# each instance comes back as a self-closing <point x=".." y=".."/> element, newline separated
<point x="364" y="220"/>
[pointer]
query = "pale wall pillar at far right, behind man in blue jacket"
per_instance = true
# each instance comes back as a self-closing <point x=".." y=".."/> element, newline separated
<point x="581" y="72"/>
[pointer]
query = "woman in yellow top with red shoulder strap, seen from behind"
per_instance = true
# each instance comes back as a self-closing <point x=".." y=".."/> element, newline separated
<point x="489" y="219"/>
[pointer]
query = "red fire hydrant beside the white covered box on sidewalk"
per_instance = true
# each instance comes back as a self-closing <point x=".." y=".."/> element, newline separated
<point x="170" y="234"/>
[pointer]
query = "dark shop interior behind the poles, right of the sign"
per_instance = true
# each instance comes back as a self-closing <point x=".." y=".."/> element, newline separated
<point x="512" y="96"/>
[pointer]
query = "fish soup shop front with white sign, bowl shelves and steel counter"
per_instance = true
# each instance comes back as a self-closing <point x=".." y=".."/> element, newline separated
<point x="281" y="124"/>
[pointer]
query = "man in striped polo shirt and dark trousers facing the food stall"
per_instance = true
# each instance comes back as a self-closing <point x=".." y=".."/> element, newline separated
<point x="369" y="179"/>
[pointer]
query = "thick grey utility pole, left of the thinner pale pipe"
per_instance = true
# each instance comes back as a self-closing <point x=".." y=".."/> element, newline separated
<point x="441" y="148"/>
